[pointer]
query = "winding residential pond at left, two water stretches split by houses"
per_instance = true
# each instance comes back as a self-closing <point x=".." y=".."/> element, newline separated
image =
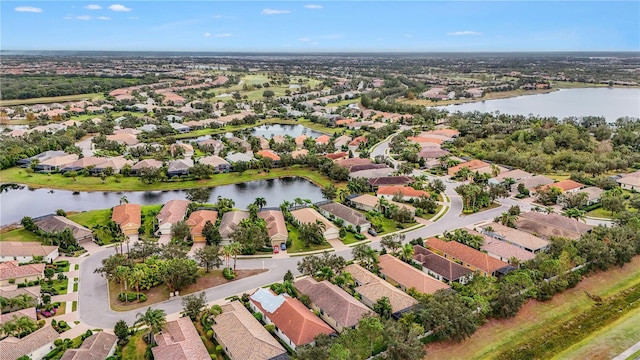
<point x="38" y="202"/>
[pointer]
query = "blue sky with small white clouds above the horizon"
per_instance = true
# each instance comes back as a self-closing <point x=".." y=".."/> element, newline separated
<point x="318" y="26"/>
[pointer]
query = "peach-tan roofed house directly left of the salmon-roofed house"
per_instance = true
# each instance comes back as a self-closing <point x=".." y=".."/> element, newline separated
<point x="371" y="288"/>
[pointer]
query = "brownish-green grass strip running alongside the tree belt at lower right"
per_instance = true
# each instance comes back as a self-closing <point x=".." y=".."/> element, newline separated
<point x="537" y="317"/>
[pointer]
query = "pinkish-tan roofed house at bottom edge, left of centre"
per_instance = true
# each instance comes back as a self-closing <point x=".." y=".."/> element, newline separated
<point x="179" y="340"/>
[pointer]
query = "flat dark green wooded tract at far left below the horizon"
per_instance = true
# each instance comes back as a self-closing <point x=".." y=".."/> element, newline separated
<point x="35" y="86"/>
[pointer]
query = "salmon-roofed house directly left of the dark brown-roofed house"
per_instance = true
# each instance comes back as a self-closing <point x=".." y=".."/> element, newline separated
<point x="399" y="273"/>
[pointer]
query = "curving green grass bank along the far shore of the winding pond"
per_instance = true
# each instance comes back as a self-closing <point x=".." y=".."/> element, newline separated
<point x="91" y="183"/>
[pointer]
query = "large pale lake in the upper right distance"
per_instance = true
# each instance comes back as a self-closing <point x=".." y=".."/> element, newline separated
<point x="612" y="103"/>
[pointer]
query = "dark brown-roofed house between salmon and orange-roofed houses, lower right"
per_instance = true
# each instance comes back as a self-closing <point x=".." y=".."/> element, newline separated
<point x="441" y="268"/>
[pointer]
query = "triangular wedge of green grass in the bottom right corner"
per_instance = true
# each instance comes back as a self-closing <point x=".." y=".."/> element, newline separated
<point x="609" y="341"/>
